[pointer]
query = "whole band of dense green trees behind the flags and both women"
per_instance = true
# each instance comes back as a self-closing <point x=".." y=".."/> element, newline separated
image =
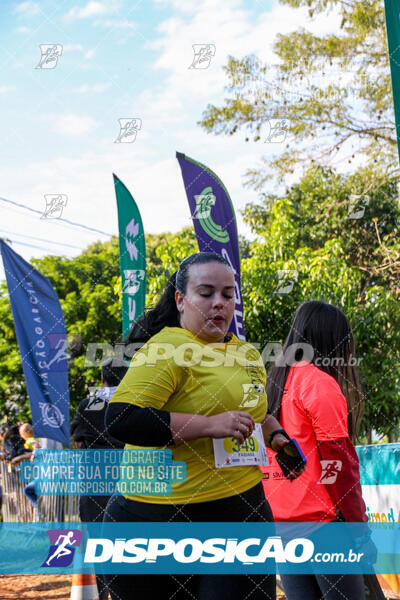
<point x="353" y="263"/>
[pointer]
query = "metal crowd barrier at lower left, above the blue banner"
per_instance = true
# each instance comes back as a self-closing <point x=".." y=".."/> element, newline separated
<point x="15" y="507"/>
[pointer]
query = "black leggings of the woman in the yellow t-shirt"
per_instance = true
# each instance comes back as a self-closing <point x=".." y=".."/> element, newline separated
<point x="248" y="506"/>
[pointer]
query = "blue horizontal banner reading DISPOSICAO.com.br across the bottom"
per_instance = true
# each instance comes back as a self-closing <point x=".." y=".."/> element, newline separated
<point x="194" y="548"/>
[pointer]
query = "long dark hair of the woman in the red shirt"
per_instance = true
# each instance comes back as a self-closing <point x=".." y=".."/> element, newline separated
<point x="327" y="332"/>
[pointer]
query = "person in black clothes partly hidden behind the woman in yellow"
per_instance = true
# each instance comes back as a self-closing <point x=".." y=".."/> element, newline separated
<point x="89" y="432"/>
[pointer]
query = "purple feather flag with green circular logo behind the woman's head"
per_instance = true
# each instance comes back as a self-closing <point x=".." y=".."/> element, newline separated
<point x="214" y="223"/>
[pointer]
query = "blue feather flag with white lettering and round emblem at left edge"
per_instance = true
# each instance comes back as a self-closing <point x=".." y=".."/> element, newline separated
<point x="40" y="330"/>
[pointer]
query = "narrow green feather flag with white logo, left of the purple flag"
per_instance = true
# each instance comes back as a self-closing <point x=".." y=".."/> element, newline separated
<point x="132" y="256"/>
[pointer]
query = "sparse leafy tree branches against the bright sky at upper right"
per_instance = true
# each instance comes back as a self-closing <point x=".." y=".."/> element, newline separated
<point x="334" y="92"/>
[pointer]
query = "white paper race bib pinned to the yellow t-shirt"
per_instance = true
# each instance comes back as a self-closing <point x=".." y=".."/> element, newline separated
<point x="229" y="453"/>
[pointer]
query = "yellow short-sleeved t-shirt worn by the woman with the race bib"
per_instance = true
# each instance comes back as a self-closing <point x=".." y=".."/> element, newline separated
<point x="177" y="372"/>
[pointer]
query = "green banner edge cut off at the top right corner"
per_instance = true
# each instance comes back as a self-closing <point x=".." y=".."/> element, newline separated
<point x="392" y="12"/>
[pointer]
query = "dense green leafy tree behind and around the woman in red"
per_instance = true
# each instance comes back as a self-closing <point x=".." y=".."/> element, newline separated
<point x="353" y="263"/>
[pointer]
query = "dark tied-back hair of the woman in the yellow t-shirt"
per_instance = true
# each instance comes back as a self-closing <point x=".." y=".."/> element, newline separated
<point x="165" y="312"/>
